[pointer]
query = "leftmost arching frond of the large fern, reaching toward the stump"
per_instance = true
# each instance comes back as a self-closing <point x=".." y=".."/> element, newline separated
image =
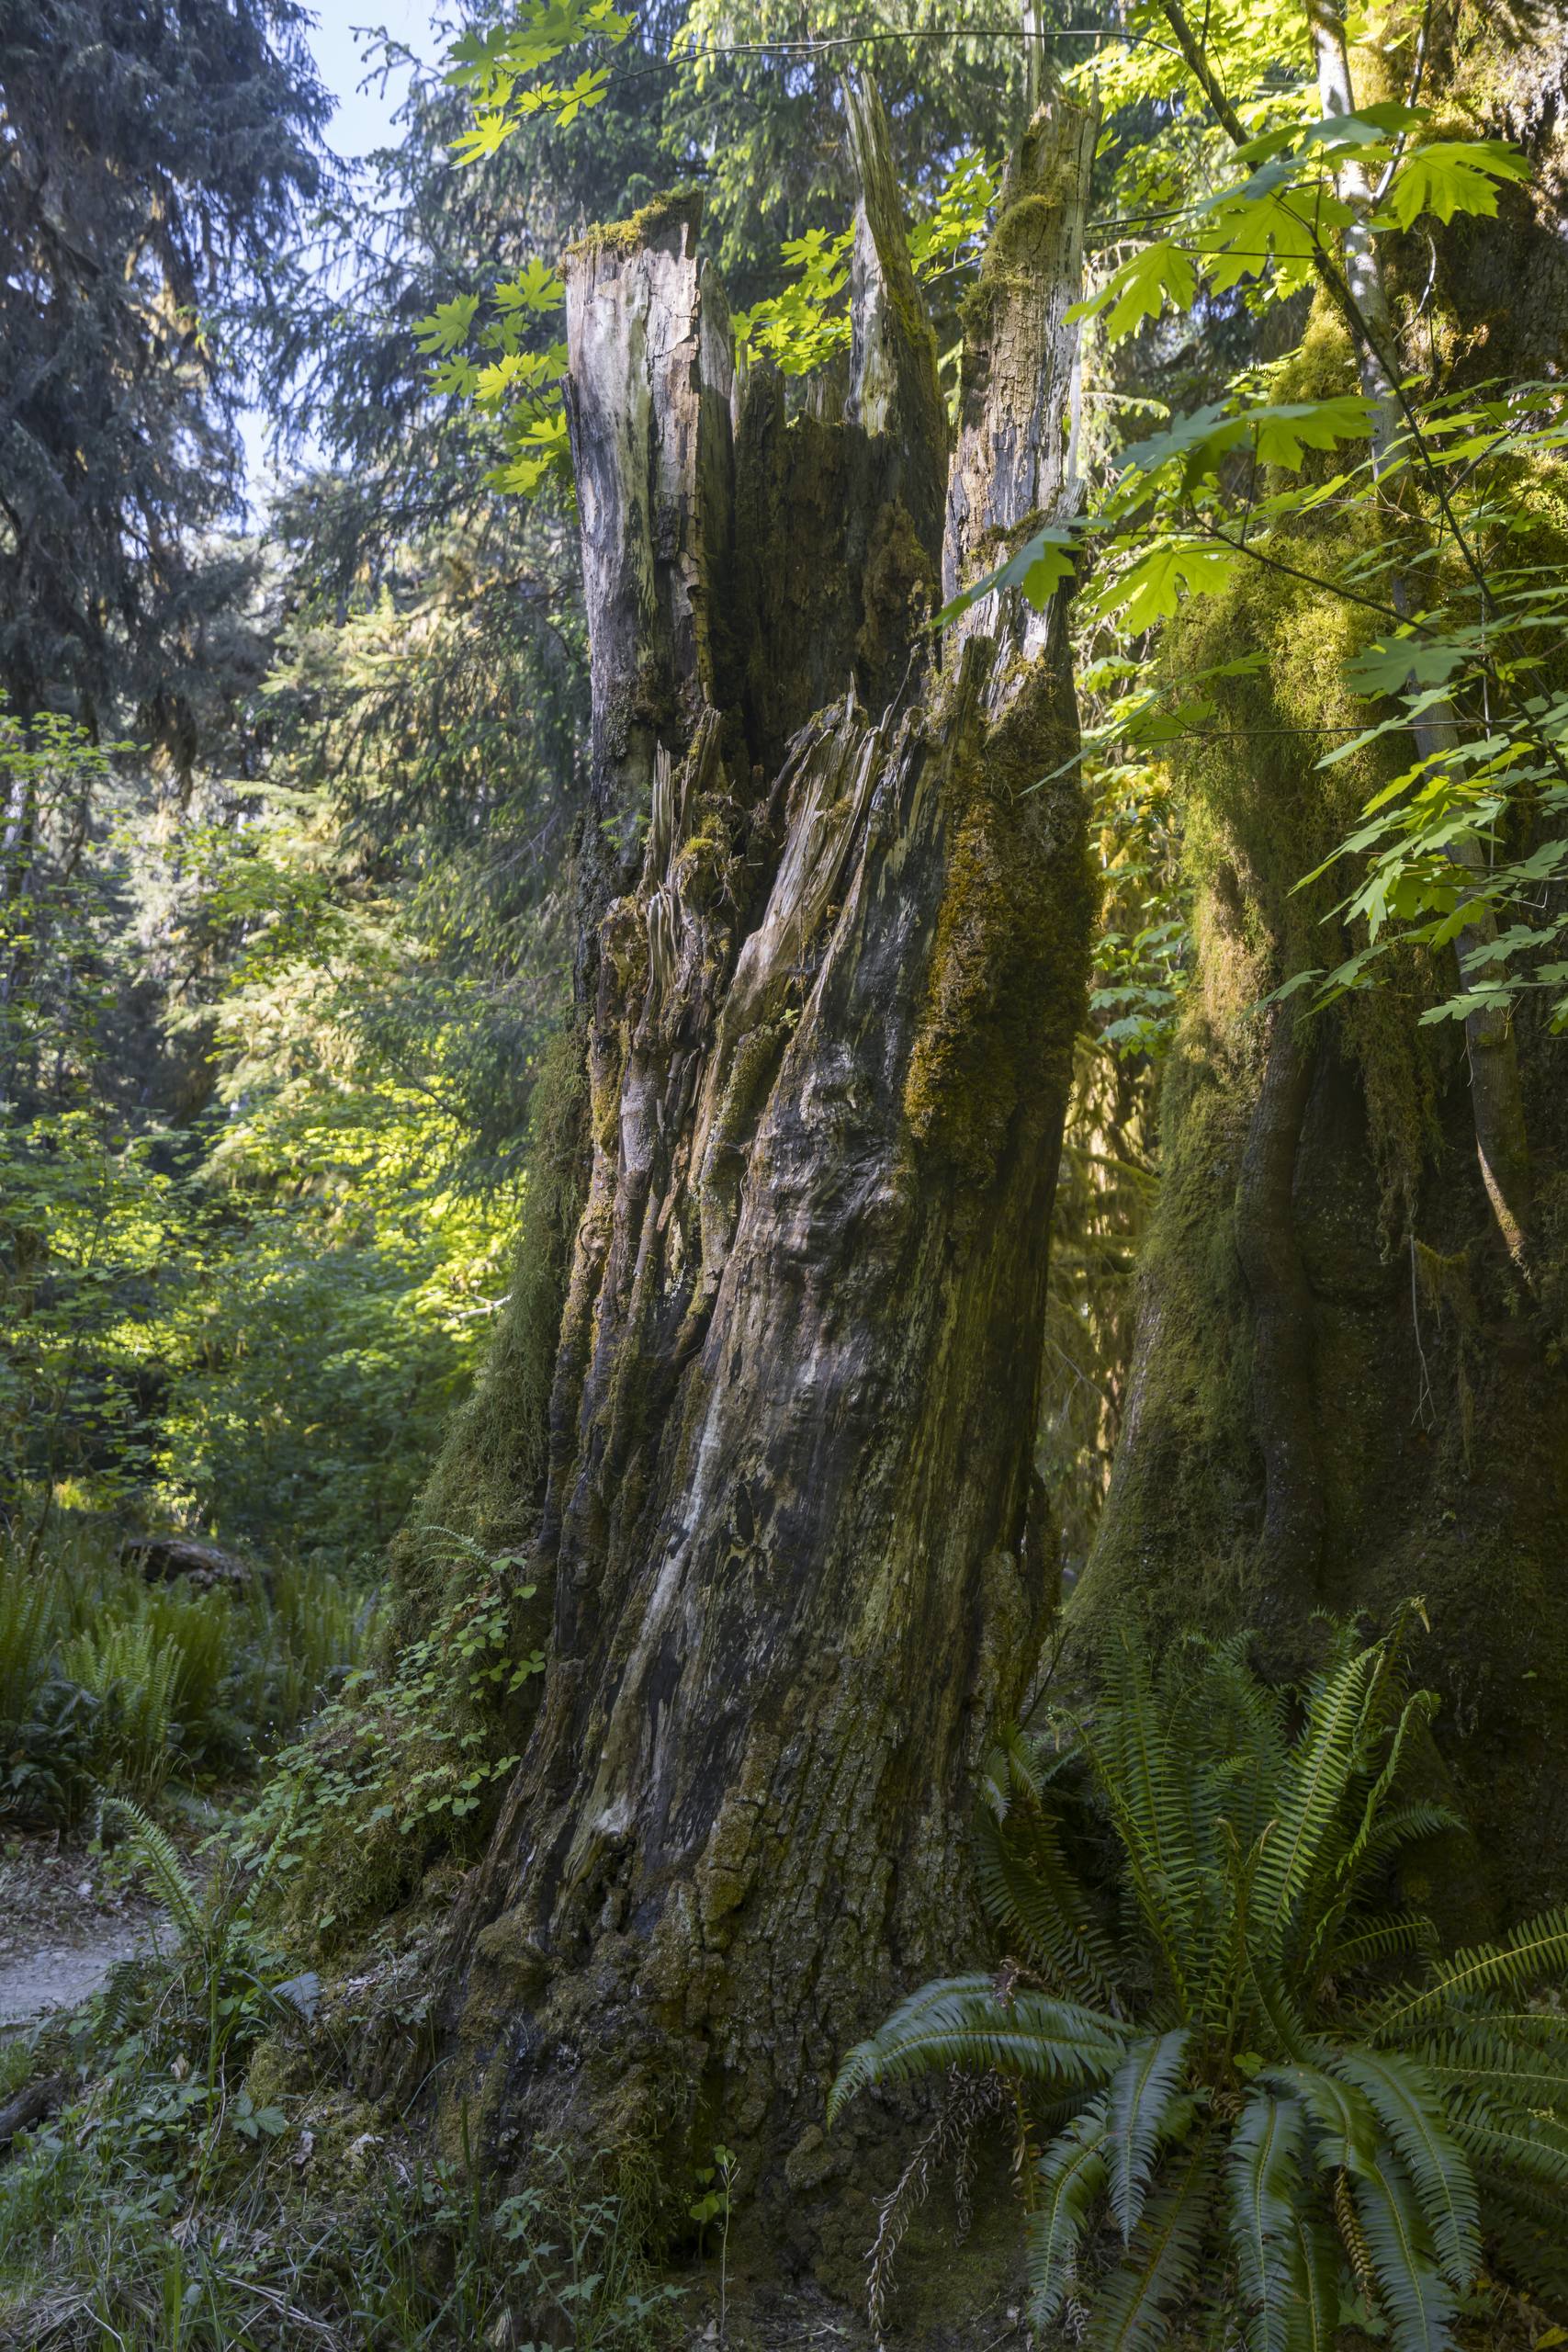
<point x="963" y="2022"/>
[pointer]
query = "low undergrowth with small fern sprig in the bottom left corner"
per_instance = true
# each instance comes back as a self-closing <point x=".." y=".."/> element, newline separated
<point x="173" y="2205"/>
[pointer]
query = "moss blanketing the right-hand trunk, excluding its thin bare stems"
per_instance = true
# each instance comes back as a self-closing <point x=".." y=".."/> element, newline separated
<point x="1440" y="1412"/>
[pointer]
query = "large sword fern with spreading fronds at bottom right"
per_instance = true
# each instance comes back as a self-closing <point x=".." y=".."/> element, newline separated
<point x="1257" y="2085"/>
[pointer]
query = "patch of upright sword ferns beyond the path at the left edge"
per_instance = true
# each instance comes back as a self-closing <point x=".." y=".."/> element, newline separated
<point x="109" y="1683"/>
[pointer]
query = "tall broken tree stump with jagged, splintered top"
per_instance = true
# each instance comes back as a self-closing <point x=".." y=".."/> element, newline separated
<point x="836" y="928"/>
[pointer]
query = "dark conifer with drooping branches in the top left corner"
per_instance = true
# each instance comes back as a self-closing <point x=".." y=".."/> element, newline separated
<point x="152" y="166"/>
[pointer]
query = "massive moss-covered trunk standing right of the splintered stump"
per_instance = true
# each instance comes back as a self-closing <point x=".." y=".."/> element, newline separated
<point x="1351" y="1377"/>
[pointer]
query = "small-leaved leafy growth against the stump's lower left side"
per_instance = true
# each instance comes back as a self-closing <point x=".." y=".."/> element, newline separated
<point x="410" y="1760"/>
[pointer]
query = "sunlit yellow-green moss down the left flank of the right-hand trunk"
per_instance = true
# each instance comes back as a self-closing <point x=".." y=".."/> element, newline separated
<point x="1259" y="813"/>
